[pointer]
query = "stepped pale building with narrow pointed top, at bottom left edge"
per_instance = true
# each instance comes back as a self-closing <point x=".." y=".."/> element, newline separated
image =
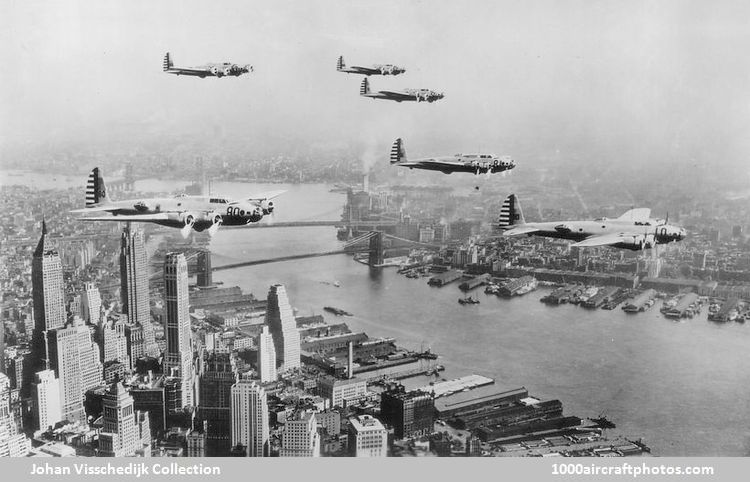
<point x="125" y="431"/>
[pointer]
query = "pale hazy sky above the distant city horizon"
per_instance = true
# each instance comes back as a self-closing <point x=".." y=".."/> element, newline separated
<point x="600" y="81"/>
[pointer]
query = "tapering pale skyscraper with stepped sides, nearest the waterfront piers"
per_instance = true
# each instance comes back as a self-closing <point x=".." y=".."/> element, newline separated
<point x="283" y="327"/>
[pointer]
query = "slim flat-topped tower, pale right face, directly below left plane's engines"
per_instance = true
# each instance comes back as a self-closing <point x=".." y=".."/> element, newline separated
<point x="178" y="356"/>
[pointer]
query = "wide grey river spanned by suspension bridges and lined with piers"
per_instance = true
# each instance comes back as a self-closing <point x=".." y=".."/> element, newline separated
<point x="682" y="386"/>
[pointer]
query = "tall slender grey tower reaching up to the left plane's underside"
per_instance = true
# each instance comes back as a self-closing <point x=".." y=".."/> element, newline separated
<point x="134" y="286"/>
